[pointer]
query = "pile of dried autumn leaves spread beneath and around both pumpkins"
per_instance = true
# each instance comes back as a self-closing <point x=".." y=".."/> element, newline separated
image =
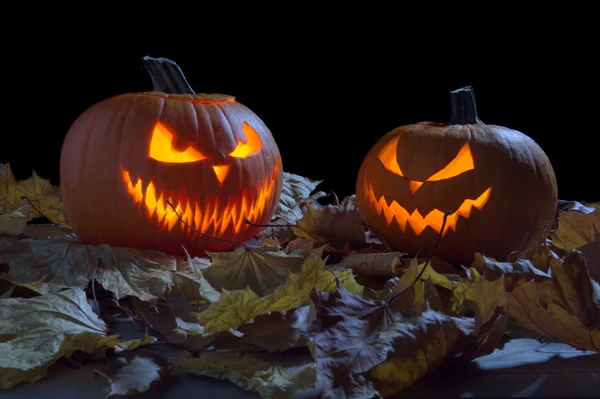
<point x="316" y="305"/>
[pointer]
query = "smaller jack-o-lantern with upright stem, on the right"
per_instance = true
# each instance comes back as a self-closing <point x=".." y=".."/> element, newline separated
<point x="497" y="184"/>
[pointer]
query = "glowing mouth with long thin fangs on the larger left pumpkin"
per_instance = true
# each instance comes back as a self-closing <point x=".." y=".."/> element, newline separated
<point x="211" y="215"/>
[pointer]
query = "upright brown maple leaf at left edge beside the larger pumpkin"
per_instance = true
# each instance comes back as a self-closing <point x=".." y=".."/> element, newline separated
<point x="42" y="194"/>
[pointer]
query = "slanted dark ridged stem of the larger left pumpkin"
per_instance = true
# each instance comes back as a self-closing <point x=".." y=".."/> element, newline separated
<point x="166" y="76"/>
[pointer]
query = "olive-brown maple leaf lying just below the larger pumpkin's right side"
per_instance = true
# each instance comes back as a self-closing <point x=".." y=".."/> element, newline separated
<point x="262" y="269"/>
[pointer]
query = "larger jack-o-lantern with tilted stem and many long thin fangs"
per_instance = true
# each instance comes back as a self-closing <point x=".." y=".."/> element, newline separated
<point x="126" y="158"/>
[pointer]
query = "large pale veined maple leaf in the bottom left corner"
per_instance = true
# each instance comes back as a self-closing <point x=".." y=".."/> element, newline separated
<point x="38" y="331"/>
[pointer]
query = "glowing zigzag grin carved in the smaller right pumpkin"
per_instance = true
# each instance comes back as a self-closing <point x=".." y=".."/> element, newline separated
<point x="394" y="211"/>
